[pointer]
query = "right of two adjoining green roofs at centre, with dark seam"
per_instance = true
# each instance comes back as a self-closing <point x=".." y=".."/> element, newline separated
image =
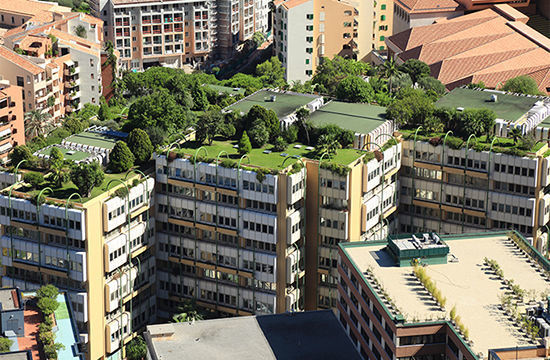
<point x="360" y="118"/>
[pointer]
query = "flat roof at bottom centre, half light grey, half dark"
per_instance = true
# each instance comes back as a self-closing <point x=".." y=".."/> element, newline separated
<point x="298" y="335"/>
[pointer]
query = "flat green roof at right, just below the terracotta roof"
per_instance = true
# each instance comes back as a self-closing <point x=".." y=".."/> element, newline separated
<point x="508" y="107"/>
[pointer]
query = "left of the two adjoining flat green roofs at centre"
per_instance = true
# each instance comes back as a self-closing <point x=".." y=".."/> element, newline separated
<point x="285" y="104"/>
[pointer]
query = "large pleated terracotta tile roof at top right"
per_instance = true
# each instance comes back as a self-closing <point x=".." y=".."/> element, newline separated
<point x="491" y="45"/>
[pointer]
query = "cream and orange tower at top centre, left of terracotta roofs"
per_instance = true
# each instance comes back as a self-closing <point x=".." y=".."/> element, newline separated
<point x="306" y="31"/>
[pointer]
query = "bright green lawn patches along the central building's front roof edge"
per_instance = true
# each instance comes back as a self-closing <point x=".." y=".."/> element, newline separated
<point x="273" y="160"/>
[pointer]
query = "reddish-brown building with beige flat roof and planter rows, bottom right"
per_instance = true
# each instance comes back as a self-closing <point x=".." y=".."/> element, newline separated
<point x="388" y="312"/>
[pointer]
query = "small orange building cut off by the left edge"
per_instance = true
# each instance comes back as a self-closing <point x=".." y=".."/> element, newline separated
<point x="12" y="124"/>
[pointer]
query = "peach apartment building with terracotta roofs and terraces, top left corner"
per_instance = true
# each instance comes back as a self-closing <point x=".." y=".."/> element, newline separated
<point x="56" y="58"/>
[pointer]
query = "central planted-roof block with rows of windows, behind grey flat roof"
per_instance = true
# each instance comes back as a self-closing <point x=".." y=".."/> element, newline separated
<point x="231" y="238"/>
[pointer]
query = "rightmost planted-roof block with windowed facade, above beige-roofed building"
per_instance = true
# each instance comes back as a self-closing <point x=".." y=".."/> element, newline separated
<point x="452" y="189"/>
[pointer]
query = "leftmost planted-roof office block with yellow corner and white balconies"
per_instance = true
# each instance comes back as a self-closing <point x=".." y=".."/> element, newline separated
<point x="97" y="249"/>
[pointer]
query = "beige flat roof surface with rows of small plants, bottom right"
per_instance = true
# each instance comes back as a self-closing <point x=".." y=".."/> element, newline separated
<point x="467" y="284"/>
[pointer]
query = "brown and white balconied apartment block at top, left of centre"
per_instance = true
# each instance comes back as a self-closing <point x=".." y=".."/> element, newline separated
<point x="176" y="32"/>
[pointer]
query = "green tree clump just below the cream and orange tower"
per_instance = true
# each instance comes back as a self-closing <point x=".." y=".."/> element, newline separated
<point x="330" y="72"/>
